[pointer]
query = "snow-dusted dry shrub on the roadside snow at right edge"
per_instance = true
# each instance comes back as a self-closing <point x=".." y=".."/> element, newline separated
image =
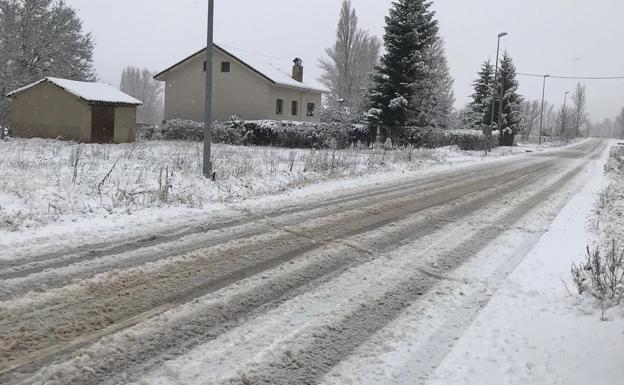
<point x="601" y="275"/>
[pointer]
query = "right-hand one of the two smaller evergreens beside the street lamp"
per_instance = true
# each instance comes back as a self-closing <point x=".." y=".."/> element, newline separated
<point x="507" y="85"/>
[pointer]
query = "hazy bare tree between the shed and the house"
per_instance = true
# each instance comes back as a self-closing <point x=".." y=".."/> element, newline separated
<point x="140" y="84"/>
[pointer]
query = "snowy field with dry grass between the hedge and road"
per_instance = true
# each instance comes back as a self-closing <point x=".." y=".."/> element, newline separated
<point x="44" y="181"/>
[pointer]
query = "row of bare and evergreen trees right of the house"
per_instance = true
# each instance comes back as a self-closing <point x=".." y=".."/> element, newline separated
<point x="411" y="85"/>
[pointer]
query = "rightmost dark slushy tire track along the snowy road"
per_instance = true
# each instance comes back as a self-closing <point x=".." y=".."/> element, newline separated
<point x="328" y="346"/>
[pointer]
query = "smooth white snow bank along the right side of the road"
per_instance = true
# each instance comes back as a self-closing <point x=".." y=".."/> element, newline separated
<point x="532" y="331"/>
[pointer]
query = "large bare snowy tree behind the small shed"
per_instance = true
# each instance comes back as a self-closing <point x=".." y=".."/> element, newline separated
<point x="40" y="38"/>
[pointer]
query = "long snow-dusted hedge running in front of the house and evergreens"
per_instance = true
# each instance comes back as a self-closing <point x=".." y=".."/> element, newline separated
<point x="317" y="135"/>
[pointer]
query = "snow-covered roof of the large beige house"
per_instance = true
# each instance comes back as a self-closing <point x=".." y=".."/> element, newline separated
<point x="270" y="68"/>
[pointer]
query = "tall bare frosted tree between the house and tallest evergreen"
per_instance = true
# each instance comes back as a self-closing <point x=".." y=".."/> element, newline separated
<point x="349" y="63"/>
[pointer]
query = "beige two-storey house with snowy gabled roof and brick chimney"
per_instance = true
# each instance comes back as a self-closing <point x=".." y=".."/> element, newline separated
<point x="248" y="85"/>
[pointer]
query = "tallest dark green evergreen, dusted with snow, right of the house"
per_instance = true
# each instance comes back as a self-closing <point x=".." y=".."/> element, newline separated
<point x="410" y="31"/>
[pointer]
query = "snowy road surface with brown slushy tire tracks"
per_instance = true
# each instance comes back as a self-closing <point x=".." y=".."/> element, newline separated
<point x="303" y="293"/>
